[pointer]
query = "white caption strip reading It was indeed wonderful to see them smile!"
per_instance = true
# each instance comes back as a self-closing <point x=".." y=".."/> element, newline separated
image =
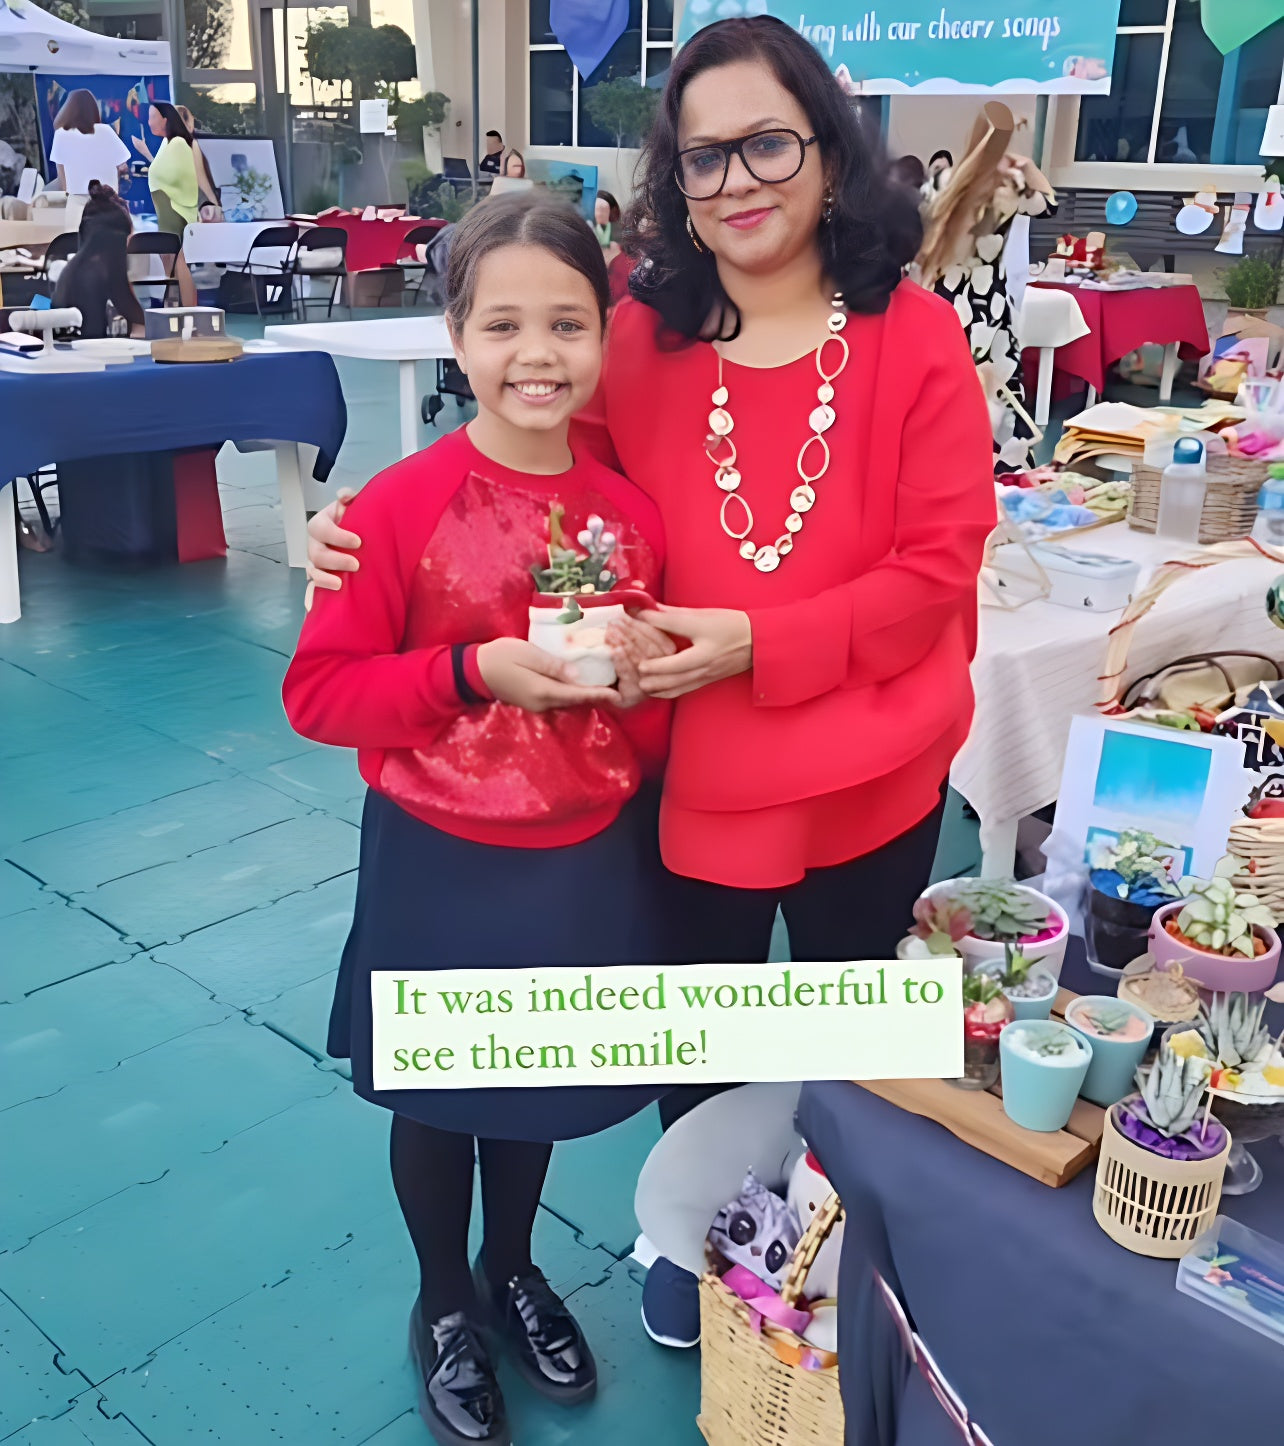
<point x="637" y="1024"/>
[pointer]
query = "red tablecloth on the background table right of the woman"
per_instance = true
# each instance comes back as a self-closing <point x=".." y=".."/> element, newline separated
<point x="1123" y="320"/>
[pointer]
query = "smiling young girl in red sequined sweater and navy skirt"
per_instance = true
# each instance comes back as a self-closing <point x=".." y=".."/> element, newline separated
<point x="508" y="822"/>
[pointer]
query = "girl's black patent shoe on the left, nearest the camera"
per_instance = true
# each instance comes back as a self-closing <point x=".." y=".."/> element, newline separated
<point x="459" y="1396"/>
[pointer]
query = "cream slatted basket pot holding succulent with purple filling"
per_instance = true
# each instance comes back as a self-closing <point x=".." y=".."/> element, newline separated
<point x="1150" y="1205"/>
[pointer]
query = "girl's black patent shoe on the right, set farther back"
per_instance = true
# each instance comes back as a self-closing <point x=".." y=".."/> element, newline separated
<point x="547" y="1343"/>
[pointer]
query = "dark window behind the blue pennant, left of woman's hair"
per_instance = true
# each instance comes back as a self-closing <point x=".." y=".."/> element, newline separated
<point x="643" y="54"/>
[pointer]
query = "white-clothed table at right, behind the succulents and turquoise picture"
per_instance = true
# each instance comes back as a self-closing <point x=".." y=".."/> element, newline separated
<point x="1039" y="666"/>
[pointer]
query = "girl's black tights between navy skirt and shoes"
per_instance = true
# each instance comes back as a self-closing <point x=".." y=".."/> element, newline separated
<point x="433" y="1178"/>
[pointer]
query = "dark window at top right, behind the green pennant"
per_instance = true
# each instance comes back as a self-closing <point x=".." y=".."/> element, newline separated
<point x="1175" y="98"/>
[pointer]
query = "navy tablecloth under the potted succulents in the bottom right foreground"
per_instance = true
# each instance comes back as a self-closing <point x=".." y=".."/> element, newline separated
<point x="1050" y="1332"/>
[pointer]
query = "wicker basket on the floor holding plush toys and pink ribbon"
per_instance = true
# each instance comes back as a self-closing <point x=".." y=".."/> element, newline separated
<point x="753" y="1393"/>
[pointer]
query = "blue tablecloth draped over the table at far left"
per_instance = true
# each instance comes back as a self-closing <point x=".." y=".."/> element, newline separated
<point x="148" y="407"/>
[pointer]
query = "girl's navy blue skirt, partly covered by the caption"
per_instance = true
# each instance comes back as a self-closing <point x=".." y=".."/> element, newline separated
<point x="427" y="900"/>
